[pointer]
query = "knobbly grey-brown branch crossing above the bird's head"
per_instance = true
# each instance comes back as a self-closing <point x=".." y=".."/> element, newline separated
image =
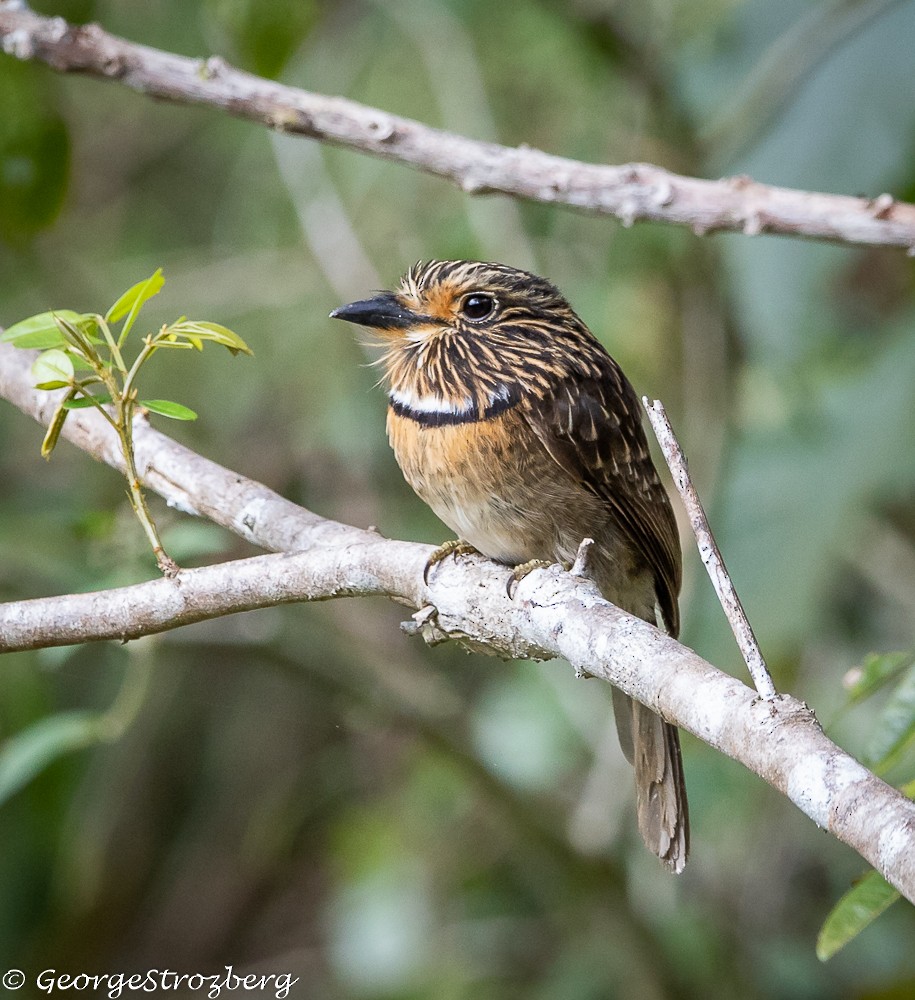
<point x="631" y="192"/>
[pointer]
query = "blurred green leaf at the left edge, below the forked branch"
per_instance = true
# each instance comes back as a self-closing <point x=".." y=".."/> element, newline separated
<point x="30" y="751"/>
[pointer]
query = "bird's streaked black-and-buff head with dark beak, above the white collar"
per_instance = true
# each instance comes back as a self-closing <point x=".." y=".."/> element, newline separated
<point x="466" y="330"/>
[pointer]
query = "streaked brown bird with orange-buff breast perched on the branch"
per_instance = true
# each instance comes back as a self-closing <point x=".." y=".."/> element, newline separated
<point x="509" y="418"/>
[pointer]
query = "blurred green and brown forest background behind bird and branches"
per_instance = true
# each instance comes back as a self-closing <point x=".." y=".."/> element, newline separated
<point x="307" y="790"/>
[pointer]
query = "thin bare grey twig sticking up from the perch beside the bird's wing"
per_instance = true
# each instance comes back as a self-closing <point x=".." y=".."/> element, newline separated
<point x="708" y="549"/>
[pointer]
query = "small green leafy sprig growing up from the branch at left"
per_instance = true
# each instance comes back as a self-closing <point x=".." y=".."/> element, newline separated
<point x="86" y="342"/>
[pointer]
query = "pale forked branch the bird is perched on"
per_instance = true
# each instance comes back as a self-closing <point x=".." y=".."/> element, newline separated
<point x="553" y="614"/>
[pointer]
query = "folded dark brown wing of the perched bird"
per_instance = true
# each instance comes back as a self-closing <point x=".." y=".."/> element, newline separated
<point x="593" y="428"/>
